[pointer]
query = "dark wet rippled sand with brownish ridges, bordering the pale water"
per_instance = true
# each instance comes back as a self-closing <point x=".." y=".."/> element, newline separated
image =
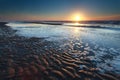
<point x="24" y="58"/>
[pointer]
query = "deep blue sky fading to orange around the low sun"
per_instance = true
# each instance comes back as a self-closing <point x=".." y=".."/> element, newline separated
<point x="13" y="10"/>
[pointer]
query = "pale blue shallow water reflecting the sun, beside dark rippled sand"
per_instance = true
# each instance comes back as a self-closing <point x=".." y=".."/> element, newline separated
<point x="104" y="43"/>
